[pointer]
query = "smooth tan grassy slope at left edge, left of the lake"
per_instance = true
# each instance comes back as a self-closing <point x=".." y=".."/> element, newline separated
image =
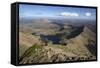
<point x="26" y="40"/>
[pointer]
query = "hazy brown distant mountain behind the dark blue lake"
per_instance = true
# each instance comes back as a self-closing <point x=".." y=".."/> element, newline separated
<point x="40" y="26"/>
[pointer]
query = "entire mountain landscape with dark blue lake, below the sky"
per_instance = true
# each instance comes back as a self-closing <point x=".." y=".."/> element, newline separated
<point x="52" y="40"/>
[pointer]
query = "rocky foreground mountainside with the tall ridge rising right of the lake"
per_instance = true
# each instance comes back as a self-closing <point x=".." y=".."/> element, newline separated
<point x="81" y="46"/>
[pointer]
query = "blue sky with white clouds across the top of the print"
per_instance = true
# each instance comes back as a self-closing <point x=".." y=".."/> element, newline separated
<point x="33" y="11"/>
